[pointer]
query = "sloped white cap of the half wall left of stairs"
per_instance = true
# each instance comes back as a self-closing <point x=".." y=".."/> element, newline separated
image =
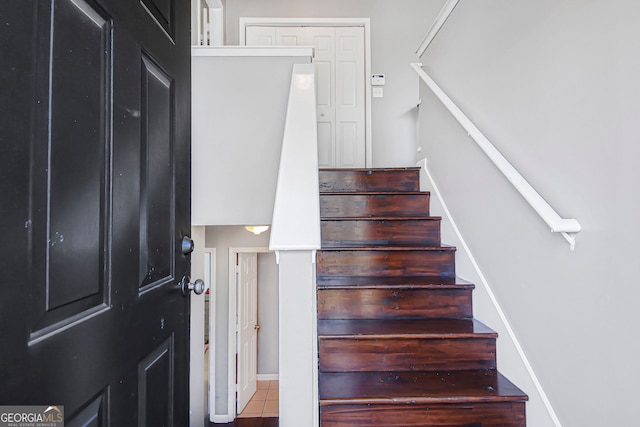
<point x="296" y="211"/>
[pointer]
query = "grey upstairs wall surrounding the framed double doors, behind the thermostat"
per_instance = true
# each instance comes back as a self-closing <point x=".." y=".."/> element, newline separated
<point x="396" y="30"/>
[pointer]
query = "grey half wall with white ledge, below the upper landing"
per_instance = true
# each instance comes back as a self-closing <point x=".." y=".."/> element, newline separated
<point x="239" y="106"/>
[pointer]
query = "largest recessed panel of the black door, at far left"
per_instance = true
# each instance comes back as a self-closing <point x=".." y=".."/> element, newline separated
<point x="69" y="250"/>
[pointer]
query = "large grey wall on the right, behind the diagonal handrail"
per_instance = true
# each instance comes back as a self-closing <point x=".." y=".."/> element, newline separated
<point x="554" y="84"/>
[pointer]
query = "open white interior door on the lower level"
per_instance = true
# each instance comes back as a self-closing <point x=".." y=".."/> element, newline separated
<point x="247" y="286"/>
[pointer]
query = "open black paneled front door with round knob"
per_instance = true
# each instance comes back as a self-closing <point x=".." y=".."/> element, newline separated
<point x="94" y="203"/>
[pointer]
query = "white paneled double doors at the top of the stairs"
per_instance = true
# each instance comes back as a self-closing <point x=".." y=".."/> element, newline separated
<point x="340" y="86"/>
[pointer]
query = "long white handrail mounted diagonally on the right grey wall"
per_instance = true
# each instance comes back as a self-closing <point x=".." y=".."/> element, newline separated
<point x="568" y="227"/>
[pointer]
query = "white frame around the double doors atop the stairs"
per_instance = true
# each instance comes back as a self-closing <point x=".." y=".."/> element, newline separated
<point x="245" y="22"/>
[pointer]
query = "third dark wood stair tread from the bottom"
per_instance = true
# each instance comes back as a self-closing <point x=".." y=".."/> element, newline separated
<point x="391" y="282"/>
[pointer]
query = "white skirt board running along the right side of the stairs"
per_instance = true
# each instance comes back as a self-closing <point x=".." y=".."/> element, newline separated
<point x="486" y="308"/>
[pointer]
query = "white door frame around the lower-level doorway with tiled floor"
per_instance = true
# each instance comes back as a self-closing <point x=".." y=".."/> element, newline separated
<point x="232" y="364"/>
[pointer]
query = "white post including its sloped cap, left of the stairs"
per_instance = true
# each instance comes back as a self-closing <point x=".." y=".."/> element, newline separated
<point x="295" y="236"/>
